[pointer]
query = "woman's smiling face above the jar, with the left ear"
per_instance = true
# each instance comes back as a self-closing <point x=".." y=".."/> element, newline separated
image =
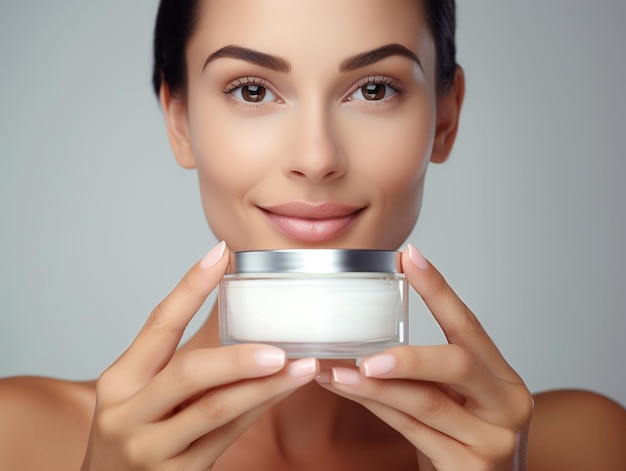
<point x="311" y="124"/>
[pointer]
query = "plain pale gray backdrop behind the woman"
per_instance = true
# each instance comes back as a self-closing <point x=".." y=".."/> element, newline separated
<point x="526" y="220"/>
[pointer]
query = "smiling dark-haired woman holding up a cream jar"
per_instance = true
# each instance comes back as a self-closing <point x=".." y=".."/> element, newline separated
<point x="311" y="124"/>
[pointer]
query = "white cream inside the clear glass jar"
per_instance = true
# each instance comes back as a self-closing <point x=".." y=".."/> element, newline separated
<point x="313" y="310"/>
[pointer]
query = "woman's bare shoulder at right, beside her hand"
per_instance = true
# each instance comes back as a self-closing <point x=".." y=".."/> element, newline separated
<point x="577" y="430"/>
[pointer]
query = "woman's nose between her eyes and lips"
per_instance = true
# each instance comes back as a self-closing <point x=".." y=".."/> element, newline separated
<point x="316" y="154"/>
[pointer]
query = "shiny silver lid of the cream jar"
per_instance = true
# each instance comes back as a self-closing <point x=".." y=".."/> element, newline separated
<point x="316" y="261"/>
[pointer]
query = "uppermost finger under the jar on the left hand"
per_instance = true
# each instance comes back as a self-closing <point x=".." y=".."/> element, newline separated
<point x="196" y="371"/>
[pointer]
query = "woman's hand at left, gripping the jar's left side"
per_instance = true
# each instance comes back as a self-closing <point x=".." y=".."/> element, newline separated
<point x="158" y="409"/>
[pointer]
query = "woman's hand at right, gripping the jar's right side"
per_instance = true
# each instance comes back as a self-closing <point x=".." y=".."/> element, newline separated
<point x="461" y="405"/>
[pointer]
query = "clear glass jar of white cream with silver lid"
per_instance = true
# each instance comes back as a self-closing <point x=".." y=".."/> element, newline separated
<point x="324" y="303"/>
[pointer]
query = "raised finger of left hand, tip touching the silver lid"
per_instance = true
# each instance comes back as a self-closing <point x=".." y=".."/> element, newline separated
<point x="158" y="339"/>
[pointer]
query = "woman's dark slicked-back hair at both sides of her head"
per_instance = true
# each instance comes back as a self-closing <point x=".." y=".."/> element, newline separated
<point x="177" y="20"/>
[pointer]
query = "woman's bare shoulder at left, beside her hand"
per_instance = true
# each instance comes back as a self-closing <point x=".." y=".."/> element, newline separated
<point x="44" y="423"/>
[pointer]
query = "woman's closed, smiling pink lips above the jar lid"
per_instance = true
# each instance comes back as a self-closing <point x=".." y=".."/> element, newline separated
<point x="312" y="223"/>
